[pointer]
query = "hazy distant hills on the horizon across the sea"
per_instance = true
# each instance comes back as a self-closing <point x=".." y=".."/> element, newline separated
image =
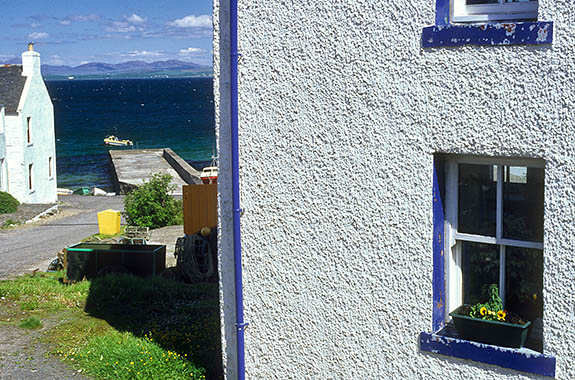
<point x="140" y="68"/>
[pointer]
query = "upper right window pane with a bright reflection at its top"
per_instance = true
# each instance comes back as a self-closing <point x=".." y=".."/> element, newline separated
<point x="523" y="203"/>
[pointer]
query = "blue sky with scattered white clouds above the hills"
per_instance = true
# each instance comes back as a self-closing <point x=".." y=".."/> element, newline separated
<point x="72" y="32"/>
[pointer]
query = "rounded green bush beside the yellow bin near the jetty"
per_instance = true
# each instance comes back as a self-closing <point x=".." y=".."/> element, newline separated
<point x="152" y="205"/>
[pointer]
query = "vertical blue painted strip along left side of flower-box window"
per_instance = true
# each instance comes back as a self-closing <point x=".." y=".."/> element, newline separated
<point x="438" y="254"/>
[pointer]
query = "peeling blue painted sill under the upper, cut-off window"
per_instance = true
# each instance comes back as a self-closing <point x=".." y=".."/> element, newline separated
<point x="519" y="33"/>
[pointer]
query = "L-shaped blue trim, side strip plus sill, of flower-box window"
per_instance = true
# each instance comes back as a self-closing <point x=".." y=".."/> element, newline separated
<point x="516" y="359"/>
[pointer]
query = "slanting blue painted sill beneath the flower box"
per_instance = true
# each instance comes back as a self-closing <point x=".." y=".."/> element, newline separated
<point x="516" y="359"/>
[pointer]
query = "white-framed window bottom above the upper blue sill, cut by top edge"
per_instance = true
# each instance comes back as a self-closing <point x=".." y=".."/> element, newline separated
<point x="461" y="12"/>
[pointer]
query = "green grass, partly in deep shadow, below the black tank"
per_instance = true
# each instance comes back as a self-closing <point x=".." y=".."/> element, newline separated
<point x="167" y="329"/>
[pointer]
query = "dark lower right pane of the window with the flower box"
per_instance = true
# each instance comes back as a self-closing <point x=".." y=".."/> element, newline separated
<point x="524" y="282"/>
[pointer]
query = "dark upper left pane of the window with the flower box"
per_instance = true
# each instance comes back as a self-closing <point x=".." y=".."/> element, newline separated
<point x="477" y="198"/>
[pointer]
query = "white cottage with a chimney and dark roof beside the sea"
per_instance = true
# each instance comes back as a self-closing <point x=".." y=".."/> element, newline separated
<point x="30" y="152"/>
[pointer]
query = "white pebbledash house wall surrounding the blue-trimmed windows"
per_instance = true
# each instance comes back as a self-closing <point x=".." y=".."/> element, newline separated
<point x="341" y="111"/>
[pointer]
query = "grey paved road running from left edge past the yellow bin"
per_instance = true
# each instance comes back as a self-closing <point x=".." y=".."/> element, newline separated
<point x="33" y="246"/>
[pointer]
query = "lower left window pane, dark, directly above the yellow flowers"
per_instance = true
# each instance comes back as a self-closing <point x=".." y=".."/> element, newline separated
<point x="480" y="268"/>
